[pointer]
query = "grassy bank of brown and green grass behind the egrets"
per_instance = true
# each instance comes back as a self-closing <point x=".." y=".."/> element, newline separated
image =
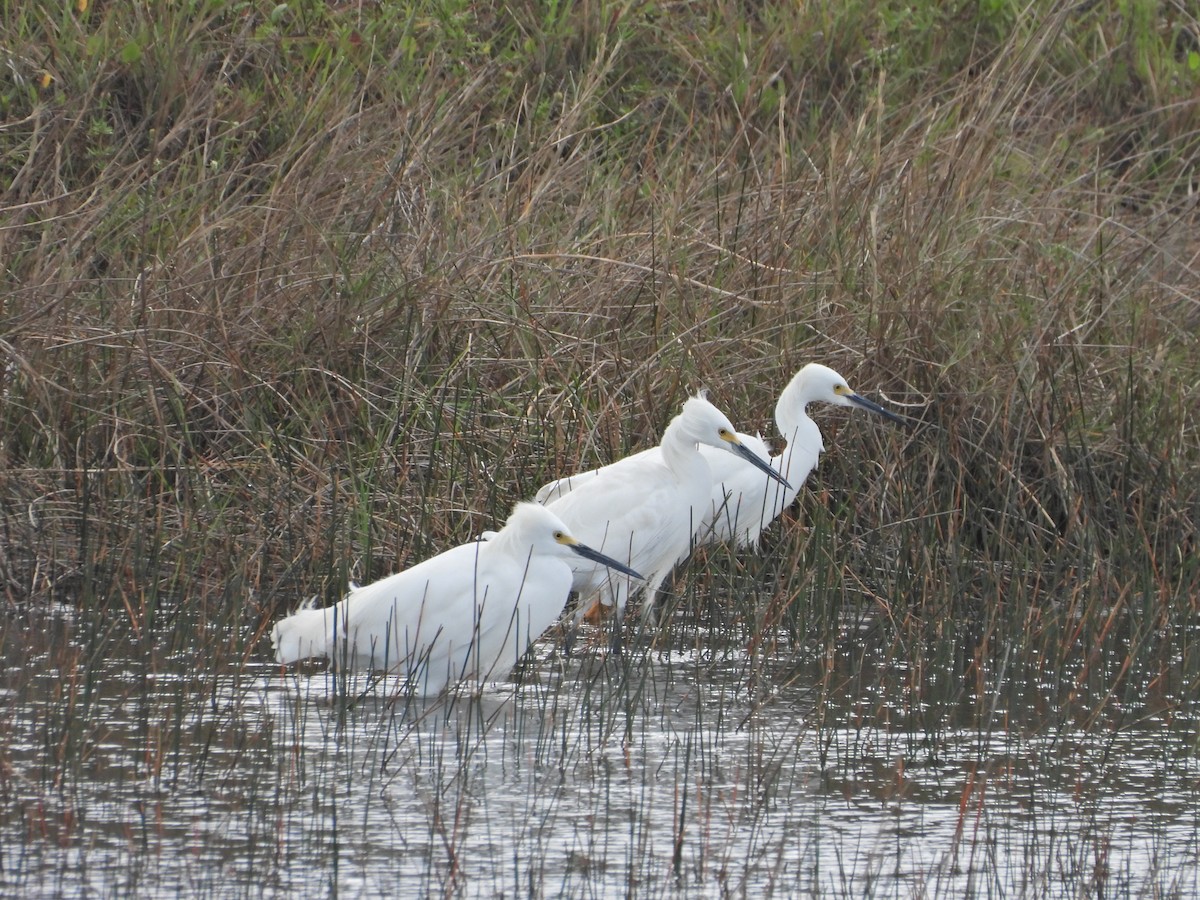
<point x="302" y="293"/>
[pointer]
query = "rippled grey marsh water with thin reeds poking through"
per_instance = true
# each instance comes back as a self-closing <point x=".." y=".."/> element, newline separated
<point x="668" y="772"/>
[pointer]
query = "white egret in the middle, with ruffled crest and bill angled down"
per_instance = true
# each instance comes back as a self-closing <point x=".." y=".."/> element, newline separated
<point x="647" y="509"/>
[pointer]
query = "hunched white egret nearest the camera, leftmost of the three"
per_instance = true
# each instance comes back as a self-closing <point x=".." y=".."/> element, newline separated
<point x="467" y="615"/>
